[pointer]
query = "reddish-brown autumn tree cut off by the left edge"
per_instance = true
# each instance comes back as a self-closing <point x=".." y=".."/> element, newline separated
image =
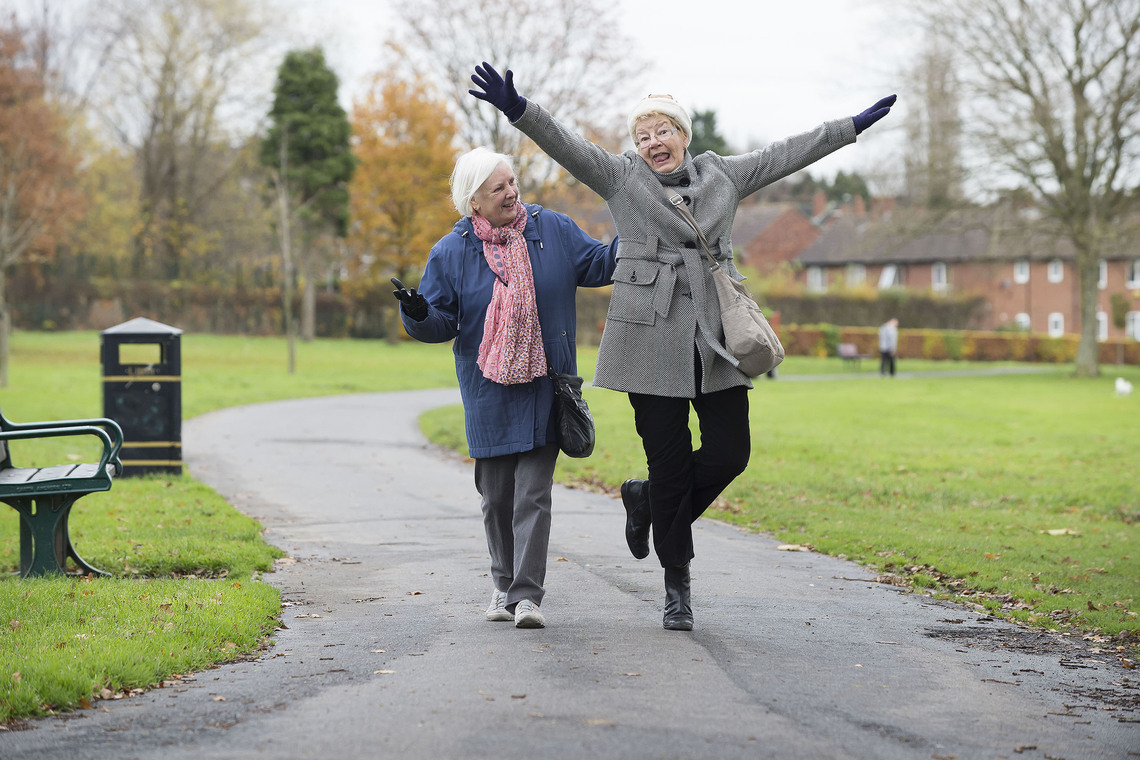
<point x="37" y="171"/>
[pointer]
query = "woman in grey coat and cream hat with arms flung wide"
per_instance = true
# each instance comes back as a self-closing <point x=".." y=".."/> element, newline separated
<point x="663" y="344"/>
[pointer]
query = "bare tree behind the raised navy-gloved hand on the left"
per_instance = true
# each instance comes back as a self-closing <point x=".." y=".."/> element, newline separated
<point x="569" y="56"/>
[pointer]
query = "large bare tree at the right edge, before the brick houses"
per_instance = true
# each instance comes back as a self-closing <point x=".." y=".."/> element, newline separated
<point x="1057" y="88"/>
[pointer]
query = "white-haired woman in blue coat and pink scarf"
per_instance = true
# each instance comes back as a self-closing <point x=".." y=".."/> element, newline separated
<point x="502" y="287"/>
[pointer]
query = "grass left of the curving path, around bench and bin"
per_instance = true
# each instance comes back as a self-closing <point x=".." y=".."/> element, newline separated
<point x="186" y="592"/>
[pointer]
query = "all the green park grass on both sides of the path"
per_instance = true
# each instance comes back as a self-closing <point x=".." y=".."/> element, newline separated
<point x="1015" y="493"/>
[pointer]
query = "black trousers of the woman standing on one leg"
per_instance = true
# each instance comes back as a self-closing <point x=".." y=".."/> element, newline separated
<point x="685" y="483"/>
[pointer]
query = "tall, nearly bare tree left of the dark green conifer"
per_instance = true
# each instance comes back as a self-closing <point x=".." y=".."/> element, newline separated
<point x="175" y="71"/>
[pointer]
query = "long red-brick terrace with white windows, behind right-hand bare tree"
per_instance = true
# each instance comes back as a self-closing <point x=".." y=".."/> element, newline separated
<point x="1028" y="279"/>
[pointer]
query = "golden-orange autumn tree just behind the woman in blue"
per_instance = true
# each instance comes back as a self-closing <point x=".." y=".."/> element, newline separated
<point x="404" y="138"/>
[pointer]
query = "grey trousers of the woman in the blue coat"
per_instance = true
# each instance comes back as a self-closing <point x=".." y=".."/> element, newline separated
<point x="516" y="489"/>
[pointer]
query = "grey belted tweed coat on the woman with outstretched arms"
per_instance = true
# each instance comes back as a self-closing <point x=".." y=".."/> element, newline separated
<point x="664" y="300"/>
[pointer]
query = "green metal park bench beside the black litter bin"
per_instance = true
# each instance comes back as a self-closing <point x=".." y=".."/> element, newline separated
<point x="44" y="496"/>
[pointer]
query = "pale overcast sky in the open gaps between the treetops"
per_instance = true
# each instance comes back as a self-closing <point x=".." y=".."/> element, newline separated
<point x="768" y="68"/>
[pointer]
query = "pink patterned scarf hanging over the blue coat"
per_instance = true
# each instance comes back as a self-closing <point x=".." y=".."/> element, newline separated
<point x="512" y="348"/>
